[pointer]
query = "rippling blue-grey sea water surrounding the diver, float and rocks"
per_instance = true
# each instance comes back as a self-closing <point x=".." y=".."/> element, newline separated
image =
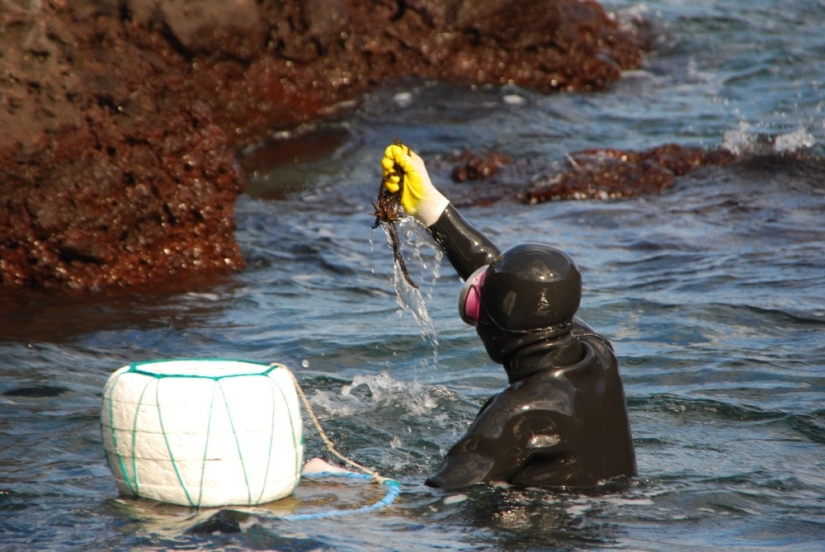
<point x="712" y="293"/>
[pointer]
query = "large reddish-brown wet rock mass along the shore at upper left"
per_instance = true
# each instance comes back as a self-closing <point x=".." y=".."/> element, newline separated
<point x="121" y="118"/>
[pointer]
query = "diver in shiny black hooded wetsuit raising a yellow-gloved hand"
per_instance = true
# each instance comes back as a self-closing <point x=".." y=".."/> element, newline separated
<point x="562" y="422"/>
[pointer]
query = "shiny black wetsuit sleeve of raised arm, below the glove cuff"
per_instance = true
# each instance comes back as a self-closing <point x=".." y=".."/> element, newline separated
<point x="465" y="246"/>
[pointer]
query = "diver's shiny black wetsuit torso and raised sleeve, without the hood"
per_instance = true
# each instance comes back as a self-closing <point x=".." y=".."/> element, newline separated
<point x="562" y="422"/>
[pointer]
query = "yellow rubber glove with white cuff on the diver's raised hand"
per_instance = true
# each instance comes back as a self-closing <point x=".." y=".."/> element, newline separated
<point x="419" y="197"/>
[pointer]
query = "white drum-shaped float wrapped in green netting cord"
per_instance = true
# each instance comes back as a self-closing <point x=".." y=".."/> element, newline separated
<point x="203" y="432"/>
